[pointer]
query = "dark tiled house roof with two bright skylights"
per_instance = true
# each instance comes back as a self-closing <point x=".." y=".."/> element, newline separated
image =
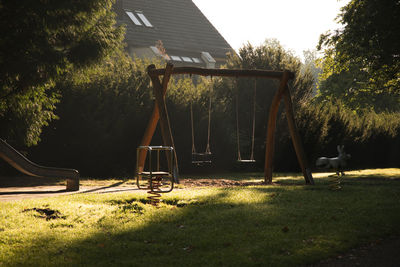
<point x="179" y="24"/>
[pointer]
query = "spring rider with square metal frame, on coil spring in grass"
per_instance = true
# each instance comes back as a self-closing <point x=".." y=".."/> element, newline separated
<point x="155" y="179"/>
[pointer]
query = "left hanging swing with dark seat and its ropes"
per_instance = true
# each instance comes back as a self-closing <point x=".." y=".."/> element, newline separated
<point x="205" y="157"/>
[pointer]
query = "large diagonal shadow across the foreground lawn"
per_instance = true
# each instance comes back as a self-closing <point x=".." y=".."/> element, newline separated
<point x="255" y="226"/>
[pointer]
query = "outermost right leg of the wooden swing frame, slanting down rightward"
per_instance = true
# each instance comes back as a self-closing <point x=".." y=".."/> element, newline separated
<point x="301" y="156"/>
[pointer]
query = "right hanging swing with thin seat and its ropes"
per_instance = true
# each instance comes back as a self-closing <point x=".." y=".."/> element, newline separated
<point x="239" y="159"/>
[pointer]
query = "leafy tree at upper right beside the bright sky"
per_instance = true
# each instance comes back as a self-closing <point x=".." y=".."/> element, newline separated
<point x="367" y="48"/>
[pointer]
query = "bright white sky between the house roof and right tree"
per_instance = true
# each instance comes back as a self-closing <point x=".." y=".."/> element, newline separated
<point x="296" y="24"/>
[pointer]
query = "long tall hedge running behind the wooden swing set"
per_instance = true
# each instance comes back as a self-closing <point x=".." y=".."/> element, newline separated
<point x="105" y="109"/>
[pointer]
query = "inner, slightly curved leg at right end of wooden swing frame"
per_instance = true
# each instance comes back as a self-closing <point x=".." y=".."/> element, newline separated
<point x="273" y="112"/>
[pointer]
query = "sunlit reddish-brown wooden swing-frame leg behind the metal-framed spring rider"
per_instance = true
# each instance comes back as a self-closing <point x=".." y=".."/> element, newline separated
<point x="152" y="125"/>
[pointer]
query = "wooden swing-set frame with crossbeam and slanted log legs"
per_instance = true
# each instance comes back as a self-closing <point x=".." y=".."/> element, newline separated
<point x="160" y="112"/>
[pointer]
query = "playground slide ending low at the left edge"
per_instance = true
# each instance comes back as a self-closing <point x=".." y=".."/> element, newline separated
<point x="24" y="165"/>
